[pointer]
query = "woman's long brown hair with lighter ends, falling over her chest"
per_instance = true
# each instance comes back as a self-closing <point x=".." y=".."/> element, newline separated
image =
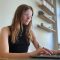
<point x="17" y="25"/>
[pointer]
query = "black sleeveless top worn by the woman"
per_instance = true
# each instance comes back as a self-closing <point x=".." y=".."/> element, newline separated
<point x="21" y="45"/>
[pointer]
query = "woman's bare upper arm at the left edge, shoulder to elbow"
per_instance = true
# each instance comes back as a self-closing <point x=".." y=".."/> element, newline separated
<point x="4" y="40"/>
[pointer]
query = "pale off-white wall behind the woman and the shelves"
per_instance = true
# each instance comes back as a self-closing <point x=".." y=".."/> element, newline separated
<point x="7" y="8"/>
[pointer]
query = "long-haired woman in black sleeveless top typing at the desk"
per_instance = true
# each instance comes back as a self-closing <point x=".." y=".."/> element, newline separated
<point x="15" y="39"/>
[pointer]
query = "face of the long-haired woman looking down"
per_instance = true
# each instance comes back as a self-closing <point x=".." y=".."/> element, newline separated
<point x="26" y="17"/>
